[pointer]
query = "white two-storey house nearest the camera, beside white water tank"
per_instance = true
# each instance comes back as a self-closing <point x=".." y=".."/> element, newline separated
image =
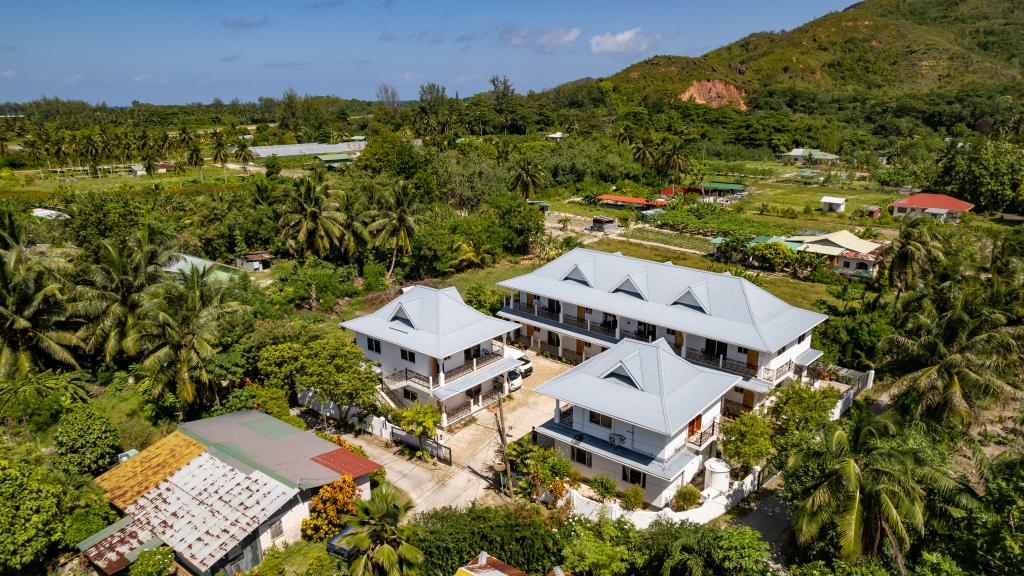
<point x="638" y="414"/>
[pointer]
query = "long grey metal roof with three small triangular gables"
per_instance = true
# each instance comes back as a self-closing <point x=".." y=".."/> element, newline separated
<point x="735" y="310"/>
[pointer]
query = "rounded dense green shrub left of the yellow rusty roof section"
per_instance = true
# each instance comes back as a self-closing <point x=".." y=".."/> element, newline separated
<point x="87" y="441"/>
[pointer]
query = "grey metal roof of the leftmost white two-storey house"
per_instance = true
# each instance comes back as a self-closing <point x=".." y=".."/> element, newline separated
<point x="442" y="323"/>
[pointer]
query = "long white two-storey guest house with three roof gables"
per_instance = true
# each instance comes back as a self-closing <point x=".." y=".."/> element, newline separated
<point x="583" y="303"/>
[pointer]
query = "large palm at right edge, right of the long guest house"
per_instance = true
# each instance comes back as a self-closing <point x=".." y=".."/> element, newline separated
<point x="961" y="359"/>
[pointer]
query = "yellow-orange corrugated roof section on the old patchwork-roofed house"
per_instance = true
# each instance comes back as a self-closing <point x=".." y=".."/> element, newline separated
<point x="130" y="480"/>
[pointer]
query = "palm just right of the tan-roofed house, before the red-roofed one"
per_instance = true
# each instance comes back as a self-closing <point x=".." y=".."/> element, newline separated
<point x="909" y="258"/>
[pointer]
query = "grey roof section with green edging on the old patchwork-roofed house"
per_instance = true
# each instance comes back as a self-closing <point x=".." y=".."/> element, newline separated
<point x="251" y="440"/>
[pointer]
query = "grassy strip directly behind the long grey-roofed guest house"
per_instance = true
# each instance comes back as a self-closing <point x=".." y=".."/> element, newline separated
<point x="796" y="293"/>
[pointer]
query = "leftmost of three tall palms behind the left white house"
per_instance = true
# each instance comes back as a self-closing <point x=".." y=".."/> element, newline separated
<point x="312" y="221"/>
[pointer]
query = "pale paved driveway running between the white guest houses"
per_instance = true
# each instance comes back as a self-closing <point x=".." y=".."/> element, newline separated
<point x="474" y="448"/>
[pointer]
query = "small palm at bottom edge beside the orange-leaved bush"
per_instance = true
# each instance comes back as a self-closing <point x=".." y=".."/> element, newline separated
<point x="378" y="540"/>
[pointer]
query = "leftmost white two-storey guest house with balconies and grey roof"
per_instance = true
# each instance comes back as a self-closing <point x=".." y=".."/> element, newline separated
<point x="434" y="348"/>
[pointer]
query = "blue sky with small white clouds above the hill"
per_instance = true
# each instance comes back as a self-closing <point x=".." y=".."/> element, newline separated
<point x="177" y="52"/>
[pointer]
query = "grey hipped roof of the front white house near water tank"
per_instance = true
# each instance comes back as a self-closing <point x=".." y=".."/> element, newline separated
<point x="643" y="384"/>
